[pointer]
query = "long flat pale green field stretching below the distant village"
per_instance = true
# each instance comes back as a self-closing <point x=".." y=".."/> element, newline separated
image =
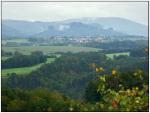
<point x="49" y="49"/>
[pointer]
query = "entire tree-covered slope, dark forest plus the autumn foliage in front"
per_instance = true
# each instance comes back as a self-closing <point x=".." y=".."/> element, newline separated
<point x="85" y="81"/>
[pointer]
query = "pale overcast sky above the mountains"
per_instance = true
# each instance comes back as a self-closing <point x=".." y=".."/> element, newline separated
<point x="54" y="11"/>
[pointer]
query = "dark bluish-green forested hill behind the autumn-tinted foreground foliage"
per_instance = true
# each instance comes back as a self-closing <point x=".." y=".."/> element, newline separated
<point x="71" y="73"/>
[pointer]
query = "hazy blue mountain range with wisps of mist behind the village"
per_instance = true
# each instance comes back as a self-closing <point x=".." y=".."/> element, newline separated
<point x="106" y="26"/>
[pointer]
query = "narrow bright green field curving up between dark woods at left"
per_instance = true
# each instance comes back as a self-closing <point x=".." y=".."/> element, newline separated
<point x="24" y="70"/>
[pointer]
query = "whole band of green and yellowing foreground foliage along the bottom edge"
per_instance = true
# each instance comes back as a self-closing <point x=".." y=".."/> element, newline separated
<point x="102" y="98"/>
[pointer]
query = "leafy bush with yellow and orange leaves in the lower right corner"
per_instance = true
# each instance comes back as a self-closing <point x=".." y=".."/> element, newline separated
<point x="123" y="98"/>
